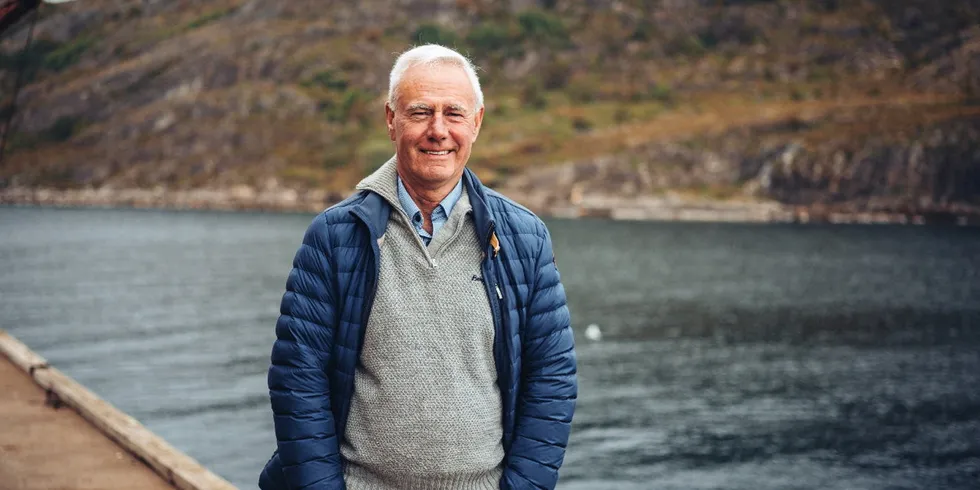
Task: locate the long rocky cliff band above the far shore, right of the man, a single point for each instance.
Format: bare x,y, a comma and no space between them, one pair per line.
823,164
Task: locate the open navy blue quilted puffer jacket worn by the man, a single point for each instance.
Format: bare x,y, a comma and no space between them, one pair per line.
321,329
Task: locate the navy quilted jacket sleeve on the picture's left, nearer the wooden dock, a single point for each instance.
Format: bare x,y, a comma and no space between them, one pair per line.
298,383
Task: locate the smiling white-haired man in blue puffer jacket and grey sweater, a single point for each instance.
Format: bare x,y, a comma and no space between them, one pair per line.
424,340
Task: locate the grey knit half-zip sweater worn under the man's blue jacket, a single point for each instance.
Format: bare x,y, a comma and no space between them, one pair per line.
426,410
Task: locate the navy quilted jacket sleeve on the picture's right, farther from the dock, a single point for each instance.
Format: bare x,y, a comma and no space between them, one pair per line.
548,385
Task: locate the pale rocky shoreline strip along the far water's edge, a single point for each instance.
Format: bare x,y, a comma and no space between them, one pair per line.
618,209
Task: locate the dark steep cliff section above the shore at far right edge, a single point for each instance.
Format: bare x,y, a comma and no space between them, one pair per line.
933,169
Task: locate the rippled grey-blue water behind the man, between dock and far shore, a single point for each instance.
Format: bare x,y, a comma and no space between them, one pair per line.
732,357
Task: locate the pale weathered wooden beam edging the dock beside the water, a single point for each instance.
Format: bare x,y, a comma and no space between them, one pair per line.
175,467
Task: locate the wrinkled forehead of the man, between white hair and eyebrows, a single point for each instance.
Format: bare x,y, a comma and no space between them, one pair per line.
436,85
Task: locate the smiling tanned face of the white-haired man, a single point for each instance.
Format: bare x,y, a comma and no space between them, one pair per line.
434,123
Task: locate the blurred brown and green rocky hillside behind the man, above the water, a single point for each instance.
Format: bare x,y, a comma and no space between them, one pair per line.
643,105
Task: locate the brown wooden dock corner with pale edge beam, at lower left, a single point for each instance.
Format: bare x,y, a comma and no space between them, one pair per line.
56,434
